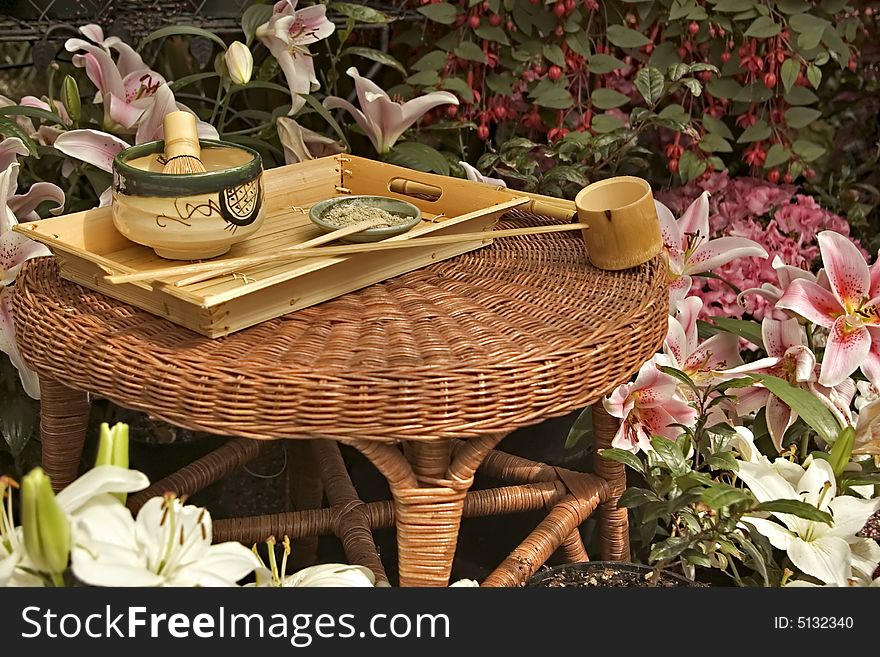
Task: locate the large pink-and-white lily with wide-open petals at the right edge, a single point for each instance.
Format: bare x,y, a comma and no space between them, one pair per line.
851,310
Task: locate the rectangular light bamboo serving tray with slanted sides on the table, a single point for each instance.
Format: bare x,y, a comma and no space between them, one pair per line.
87,245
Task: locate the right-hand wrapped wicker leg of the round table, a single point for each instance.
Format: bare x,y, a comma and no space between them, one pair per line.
613,522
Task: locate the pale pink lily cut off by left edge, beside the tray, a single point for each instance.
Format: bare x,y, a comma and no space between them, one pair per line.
15,249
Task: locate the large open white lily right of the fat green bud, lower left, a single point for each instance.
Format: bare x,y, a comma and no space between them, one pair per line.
168,545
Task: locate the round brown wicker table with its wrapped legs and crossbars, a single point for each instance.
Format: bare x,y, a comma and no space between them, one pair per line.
445,361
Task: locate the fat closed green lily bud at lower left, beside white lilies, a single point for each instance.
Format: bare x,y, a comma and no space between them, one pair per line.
45,526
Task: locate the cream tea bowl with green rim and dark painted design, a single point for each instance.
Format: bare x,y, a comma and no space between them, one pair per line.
188,216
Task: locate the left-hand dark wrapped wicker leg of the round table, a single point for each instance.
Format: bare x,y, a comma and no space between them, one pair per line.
64,418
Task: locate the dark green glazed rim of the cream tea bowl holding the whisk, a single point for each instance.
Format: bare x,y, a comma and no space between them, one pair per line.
138,182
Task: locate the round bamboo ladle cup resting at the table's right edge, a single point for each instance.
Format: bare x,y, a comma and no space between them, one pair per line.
624,230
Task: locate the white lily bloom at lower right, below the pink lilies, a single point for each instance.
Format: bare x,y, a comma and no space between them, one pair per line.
830,553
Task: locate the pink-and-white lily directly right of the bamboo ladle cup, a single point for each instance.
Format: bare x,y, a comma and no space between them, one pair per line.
689,250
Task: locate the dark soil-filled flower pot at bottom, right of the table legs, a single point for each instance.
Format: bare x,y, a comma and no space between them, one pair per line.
604,574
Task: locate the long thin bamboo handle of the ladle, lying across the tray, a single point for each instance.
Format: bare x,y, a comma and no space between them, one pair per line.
348,249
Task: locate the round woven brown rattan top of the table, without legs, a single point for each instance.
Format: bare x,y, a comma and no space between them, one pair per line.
502,337
